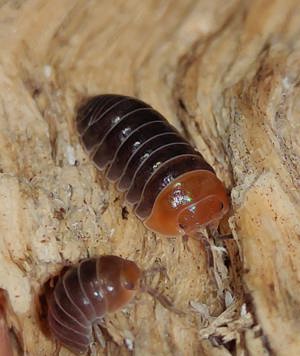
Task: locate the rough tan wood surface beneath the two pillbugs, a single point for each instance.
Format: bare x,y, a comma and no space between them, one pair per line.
227,75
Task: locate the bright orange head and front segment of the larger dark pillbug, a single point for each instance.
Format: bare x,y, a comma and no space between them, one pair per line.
195,199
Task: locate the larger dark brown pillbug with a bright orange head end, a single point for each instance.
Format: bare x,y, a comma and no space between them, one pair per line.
171,187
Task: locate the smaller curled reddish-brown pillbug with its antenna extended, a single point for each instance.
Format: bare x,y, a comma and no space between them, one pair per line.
86,292
